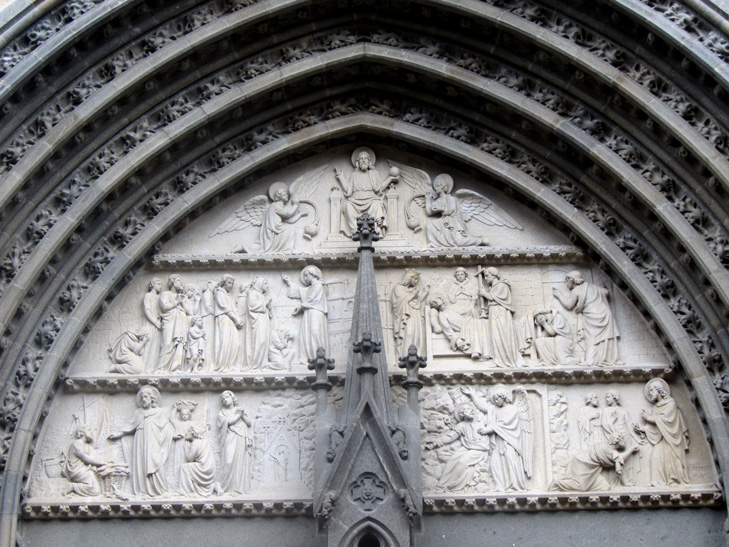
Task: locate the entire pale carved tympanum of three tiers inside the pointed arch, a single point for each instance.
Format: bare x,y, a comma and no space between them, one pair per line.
187,397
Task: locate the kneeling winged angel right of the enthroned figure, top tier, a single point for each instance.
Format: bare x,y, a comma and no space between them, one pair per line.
448,216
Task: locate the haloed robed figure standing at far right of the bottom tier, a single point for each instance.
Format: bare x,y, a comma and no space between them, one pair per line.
666,431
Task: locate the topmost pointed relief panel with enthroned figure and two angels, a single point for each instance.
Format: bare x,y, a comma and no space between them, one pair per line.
312,207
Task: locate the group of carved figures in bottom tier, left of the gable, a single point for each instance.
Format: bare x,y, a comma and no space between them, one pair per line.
152,436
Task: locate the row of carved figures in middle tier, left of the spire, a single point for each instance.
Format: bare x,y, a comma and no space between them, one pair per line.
193,329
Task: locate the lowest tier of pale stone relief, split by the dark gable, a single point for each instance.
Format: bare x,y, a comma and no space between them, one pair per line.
490,440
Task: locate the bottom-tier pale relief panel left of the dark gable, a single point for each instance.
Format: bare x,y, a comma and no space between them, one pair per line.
153,445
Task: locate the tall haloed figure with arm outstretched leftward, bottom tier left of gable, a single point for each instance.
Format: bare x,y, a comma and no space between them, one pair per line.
146,440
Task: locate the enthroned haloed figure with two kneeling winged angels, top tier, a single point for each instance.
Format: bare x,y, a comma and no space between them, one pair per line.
447,216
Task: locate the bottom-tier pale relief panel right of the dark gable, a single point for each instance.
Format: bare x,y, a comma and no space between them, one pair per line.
531,438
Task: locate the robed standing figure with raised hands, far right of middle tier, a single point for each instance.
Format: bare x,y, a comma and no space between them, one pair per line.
596,326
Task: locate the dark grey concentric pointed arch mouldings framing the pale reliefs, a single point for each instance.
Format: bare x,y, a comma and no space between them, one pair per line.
647,231
